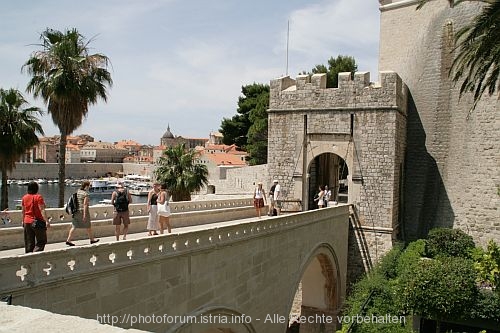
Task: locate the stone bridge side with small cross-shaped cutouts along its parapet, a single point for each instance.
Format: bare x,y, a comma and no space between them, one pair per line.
237,278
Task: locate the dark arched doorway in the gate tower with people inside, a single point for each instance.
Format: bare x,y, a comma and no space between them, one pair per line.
332,170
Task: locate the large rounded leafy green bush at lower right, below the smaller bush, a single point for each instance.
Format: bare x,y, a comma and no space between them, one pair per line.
440,289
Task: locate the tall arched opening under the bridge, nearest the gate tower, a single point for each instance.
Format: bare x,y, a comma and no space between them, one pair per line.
317,298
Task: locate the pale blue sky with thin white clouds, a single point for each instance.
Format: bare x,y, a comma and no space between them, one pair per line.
182,63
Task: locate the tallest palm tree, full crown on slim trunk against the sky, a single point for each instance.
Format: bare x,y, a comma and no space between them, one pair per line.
69,80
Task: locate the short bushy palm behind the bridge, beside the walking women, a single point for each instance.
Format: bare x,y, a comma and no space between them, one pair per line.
178,169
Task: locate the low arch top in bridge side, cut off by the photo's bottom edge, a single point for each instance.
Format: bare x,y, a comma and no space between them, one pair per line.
216,315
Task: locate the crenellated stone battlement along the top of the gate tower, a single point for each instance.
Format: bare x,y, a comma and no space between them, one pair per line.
310,92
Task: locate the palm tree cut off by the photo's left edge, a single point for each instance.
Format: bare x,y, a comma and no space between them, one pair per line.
18,128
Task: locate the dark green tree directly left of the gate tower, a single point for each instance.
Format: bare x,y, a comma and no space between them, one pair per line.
248,128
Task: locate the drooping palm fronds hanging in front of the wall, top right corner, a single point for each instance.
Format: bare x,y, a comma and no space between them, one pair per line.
478,59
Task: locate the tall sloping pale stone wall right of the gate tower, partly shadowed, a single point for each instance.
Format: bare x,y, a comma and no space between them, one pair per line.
452,173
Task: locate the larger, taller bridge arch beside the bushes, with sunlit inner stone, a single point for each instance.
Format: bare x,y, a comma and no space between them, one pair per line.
320,283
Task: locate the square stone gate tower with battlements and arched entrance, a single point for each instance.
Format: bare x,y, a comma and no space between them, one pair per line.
318,136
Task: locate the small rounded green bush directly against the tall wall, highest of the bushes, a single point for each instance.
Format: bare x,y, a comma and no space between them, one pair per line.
450,243
